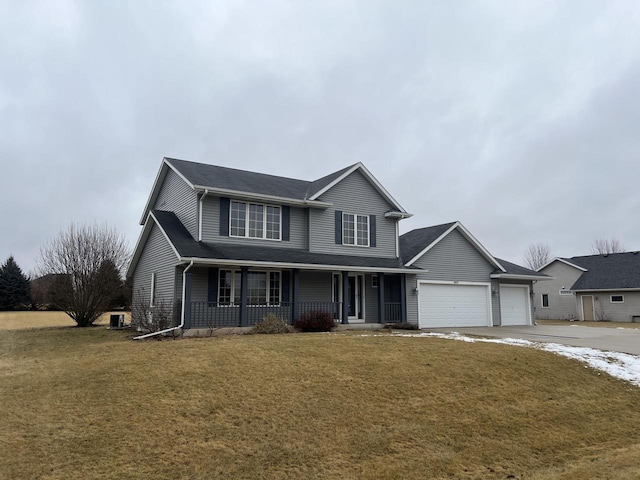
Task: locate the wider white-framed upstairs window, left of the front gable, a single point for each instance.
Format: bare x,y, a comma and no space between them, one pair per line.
254,220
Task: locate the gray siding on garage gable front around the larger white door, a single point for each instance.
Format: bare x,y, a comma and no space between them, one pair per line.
453,259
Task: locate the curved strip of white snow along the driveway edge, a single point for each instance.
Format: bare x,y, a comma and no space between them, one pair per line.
619,365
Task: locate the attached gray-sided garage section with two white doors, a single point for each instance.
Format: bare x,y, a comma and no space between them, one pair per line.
460,284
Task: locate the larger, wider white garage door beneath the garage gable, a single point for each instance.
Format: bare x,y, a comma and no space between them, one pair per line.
453,305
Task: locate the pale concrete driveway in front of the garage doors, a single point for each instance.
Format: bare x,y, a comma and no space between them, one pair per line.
625,340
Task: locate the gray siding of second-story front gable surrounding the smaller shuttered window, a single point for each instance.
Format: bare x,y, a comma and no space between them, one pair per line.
357,196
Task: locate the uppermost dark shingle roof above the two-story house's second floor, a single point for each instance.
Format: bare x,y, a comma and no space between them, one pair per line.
244,181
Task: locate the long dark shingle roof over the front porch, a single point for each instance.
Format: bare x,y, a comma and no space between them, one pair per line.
188,247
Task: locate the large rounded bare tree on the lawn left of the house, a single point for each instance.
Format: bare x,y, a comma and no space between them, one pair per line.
83,258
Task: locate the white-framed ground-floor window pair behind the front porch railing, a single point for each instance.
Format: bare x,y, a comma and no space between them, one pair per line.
263,288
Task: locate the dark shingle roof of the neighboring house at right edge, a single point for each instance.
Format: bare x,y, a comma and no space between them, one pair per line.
608,272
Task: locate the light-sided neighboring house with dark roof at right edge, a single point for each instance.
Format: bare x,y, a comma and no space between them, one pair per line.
593,287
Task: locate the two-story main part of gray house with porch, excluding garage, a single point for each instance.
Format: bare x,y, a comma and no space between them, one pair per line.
225,246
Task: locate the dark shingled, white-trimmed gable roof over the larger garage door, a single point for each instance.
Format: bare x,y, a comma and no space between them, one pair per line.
416,243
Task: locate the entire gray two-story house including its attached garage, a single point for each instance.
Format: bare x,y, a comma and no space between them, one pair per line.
224,247
